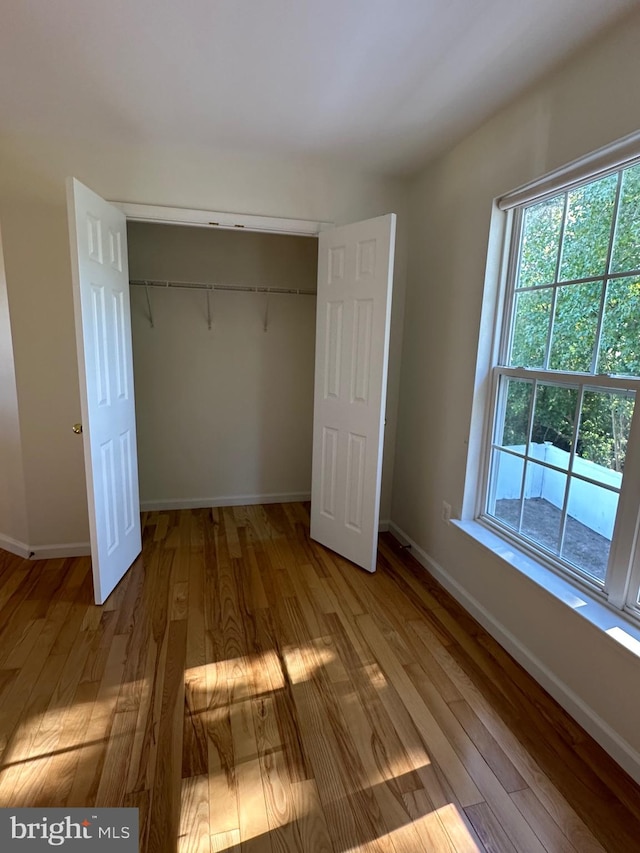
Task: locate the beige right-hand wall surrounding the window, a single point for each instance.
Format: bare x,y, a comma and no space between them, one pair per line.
591,100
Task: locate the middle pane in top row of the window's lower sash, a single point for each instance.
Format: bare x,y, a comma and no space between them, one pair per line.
553,423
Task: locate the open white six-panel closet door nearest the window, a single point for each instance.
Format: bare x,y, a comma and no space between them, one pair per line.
355,272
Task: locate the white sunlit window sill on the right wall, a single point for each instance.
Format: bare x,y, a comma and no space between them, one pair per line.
610,621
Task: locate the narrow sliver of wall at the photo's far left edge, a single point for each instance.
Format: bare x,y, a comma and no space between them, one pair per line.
13,511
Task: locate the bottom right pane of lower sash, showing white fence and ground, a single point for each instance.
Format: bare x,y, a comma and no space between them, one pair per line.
591,513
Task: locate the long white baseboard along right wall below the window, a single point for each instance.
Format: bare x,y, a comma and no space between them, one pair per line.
618,748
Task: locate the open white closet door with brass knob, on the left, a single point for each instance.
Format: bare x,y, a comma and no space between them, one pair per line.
103,331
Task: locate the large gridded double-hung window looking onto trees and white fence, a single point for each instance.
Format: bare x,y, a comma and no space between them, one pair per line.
563,467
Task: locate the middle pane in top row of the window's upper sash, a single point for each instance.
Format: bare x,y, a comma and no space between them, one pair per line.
588,229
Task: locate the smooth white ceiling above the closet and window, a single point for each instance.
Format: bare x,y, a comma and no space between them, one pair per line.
382,83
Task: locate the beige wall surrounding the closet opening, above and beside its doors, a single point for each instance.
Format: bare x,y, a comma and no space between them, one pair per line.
34,224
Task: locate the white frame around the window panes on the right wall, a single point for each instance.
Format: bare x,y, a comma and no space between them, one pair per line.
621,589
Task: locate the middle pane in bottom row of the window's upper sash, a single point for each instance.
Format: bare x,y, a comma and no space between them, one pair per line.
575,326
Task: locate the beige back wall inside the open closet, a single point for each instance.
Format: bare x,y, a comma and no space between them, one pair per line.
223,415
